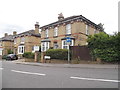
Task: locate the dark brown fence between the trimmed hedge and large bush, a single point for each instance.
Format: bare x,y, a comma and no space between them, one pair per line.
80,52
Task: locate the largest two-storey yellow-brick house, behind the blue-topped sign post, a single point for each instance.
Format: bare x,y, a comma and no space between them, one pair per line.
77,28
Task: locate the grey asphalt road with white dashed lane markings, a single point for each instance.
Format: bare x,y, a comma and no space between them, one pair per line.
27,76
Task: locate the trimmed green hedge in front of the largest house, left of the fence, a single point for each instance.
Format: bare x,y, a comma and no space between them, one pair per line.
61,54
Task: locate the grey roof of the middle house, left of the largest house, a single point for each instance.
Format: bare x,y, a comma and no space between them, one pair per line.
27,33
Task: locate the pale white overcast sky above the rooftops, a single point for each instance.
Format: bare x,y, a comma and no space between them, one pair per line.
21,15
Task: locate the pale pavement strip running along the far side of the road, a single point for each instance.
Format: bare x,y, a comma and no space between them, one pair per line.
102,66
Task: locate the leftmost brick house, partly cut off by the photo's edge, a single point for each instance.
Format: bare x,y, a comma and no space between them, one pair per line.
6,43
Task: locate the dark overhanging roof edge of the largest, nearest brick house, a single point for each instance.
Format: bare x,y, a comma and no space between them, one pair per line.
72,18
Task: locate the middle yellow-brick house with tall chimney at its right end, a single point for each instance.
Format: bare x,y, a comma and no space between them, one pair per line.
26,41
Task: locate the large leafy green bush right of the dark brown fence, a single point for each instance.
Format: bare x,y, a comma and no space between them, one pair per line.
104,46
